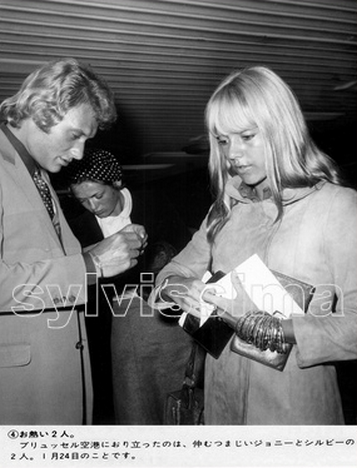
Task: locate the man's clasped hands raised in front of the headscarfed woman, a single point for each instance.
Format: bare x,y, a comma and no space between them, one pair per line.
118,252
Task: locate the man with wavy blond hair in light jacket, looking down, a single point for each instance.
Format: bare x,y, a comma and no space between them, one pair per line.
44,362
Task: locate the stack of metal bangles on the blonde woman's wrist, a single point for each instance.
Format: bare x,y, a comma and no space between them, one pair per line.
263,330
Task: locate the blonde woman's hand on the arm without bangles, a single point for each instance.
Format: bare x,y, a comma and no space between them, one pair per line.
185,292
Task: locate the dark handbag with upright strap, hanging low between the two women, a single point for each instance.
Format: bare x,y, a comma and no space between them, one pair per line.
185,406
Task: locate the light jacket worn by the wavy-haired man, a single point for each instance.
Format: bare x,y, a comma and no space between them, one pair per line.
44,361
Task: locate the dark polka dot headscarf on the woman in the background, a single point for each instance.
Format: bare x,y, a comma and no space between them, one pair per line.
96,166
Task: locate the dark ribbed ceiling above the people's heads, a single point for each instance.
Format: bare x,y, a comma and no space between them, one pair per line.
163,58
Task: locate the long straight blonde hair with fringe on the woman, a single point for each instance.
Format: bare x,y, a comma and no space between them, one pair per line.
257,97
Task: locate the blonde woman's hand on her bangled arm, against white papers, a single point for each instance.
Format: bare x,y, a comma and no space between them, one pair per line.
229,308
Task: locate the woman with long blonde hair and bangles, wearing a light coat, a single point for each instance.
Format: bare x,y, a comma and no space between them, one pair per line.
281,198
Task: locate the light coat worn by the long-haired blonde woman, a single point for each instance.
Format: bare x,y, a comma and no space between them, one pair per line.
314,242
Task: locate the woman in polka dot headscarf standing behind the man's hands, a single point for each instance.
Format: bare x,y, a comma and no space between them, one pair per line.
138,356
